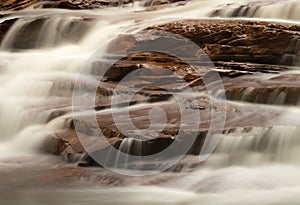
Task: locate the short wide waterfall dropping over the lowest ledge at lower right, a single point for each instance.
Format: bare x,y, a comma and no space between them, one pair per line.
254,146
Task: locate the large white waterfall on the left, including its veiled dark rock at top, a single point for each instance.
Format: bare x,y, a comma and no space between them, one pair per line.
39,78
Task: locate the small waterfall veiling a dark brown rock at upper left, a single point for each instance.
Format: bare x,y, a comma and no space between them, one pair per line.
44,32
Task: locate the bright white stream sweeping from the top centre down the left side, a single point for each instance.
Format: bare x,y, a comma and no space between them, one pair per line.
28,75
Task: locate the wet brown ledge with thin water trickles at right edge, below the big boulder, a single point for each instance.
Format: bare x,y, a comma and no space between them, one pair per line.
279,90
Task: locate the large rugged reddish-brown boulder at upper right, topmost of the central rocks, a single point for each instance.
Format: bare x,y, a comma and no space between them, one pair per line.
239,41
